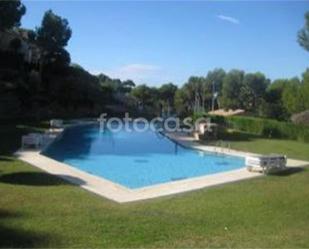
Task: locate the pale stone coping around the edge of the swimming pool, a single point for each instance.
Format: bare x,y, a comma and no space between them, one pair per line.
121,194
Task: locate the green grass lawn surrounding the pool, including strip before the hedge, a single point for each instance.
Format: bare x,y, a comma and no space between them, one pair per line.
39,210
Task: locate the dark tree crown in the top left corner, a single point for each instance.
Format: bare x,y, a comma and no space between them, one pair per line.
11,12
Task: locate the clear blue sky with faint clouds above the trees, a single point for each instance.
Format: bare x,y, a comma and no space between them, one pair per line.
156,42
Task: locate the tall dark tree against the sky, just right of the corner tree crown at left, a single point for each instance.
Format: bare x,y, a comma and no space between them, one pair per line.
53,37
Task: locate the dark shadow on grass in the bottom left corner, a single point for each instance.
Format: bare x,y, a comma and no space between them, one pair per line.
12,237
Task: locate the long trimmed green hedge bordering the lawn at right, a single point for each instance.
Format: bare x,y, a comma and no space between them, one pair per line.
269,128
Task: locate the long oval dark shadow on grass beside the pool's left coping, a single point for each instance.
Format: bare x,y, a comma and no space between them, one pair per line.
39,179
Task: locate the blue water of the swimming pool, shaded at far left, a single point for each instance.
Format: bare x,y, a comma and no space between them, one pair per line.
135,159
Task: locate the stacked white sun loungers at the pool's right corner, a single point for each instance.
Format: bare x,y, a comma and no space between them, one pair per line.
266,164
